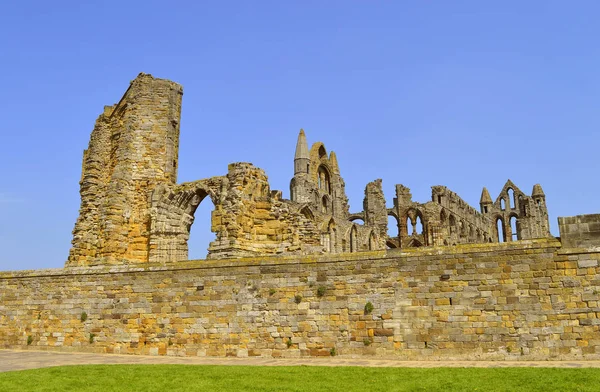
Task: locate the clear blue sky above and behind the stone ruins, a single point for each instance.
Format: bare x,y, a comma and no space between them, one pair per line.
459,93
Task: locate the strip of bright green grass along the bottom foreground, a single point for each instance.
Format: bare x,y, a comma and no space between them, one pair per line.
173,378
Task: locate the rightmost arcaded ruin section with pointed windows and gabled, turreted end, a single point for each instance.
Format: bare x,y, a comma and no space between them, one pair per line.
449,220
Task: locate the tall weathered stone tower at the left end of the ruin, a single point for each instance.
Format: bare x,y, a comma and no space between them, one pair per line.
133,148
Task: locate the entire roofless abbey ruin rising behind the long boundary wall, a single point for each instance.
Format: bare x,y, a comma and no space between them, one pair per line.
133,210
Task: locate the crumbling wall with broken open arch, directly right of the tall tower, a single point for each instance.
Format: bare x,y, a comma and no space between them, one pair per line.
248,219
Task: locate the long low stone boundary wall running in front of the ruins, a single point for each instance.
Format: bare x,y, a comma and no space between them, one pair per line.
521,300
